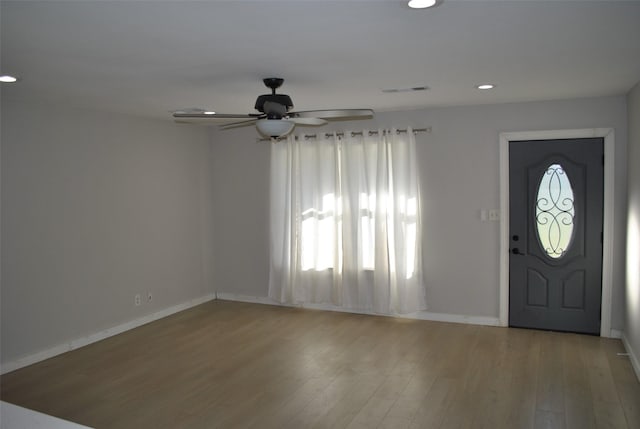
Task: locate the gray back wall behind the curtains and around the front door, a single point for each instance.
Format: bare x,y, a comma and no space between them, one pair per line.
460,176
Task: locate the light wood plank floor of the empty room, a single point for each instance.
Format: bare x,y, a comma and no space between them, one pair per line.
228,365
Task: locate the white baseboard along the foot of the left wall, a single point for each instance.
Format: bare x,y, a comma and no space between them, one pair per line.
98,336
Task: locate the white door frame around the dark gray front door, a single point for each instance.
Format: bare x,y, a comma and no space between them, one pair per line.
607,244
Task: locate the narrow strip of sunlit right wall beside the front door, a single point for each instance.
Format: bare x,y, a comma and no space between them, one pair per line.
632,321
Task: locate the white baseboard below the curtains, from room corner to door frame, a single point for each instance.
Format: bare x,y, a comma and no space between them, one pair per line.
420,315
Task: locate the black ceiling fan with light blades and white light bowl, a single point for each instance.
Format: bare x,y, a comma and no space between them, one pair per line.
275,118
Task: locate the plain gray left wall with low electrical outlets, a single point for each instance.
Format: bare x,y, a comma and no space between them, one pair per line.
97,207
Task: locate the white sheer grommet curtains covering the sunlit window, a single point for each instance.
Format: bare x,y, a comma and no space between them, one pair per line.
345,222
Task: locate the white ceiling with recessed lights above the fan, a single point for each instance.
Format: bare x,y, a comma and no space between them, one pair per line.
149,57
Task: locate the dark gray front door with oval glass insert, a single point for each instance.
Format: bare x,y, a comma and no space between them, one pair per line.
555,203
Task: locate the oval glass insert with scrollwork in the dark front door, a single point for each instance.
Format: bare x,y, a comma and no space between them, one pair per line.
555,210
